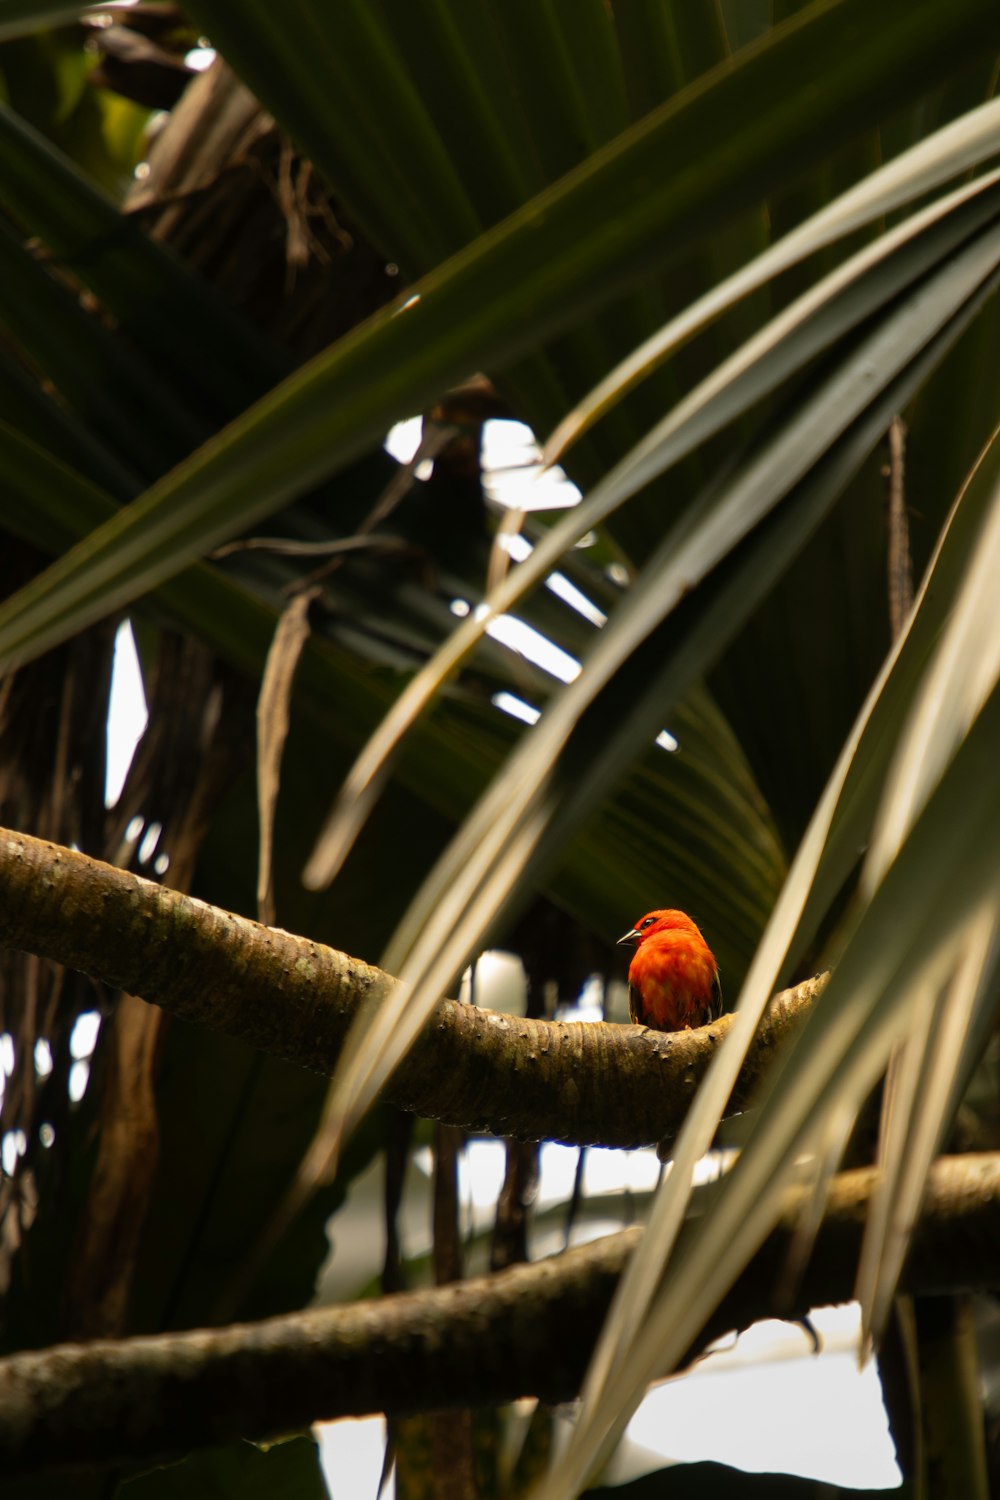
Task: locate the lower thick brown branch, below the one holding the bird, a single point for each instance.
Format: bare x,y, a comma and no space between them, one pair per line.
527,1331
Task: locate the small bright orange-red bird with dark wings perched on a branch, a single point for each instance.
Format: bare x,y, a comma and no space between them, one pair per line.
674,979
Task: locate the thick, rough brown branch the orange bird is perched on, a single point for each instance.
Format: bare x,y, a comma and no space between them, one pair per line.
579,1084
